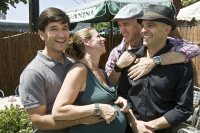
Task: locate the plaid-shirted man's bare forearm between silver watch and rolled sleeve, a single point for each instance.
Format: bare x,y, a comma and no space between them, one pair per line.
172,58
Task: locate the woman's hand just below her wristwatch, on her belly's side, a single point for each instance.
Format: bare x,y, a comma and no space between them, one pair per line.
108,112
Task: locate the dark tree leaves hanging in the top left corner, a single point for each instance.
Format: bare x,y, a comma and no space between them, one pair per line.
4,4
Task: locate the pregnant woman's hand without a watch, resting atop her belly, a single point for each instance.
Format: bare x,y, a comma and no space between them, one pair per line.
123,104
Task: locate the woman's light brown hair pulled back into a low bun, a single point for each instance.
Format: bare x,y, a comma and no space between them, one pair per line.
76,47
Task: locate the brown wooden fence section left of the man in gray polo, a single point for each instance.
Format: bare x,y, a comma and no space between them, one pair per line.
16,51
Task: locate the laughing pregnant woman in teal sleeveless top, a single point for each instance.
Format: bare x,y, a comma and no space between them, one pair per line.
86,90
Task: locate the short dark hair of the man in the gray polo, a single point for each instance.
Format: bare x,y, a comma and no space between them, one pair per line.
52,14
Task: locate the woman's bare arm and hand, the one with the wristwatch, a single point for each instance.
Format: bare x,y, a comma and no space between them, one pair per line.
74,83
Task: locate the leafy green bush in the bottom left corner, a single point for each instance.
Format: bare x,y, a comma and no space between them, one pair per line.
14,120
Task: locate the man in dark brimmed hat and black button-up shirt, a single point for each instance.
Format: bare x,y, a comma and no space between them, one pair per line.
163,98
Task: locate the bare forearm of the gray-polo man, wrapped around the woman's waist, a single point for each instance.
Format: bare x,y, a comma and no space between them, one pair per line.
43,121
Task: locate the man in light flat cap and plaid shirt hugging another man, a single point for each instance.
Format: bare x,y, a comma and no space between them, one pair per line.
132,41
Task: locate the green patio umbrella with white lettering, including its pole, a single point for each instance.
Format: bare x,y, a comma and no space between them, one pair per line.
104,11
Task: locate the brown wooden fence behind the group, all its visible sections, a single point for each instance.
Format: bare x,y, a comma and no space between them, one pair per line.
18,49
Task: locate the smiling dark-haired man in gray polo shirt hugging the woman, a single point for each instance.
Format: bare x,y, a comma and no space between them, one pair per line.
42,79
